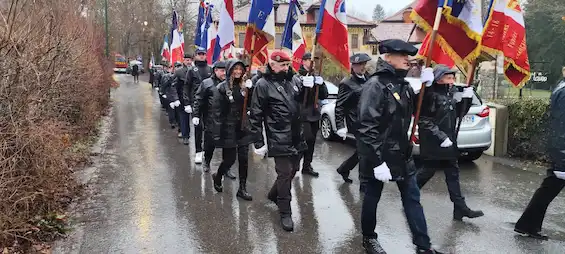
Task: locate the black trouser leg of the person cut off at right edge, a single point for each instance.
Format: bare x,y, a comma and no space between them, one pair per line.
532,218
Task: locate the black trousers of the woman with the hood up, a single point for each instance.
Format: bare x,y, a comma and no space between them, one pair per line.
228,159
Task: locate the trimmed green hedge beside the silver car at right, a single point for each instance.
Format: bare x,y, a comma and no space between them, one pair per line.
528,127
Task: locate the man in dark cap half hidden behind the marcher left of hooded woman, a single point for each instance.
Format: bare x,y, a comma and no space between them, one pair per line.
205,71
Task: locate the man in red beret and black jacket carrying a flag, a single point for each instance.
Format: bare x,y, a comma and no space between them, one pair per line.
276,105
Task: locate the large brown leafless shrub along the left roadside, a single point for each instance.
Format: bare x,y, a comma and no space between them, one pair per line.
54,87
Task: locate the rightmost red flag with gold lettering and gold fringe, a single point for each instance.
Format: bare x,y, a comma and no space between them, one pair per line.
505,33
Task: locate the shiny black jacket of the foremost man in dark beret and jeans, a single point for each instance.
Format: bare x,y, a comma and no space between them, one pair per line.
385,109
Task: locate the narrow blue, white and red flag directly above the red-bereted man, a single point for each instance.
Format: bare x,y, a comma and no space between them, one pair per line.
292,36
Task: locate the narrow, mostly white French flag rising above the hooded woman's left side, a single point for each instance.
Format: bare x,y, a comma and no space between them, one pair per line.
226,30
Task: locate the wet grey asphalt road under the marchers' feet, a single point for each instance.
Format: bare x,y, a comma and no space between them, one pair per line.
149,197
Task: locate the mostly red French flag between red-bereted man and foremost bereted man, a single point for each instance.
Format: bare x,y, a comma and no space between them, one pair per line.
331,31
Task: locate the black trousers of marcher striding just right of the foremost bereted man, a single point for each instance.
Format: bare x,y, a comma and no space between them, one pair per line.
451,170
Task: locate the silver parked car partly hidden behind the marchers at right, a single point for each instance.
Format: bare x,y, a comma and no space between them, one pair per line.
474,136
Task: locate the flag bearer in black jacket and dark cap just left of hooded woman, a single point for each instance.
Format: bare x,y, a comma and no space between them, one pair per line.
204,111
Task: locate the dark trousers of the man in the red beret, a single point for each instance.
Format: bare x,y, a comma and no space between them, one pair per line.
286,167
